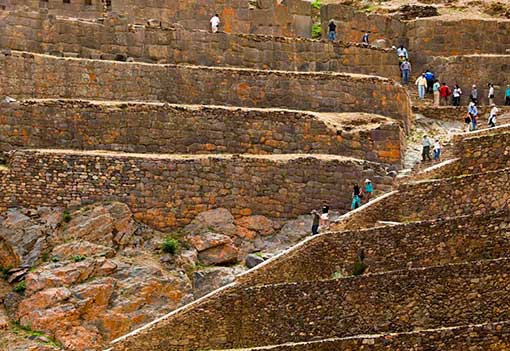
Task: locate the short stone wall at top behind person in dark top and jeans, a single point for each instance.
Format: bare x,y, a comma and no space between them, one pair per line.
352,24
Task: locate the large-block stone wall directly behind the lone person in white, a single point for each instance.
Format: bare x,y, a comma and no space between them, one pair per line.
287,18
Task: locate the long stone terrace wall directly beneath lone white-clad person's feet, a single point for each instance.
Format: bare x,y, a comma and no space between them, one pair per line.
45,34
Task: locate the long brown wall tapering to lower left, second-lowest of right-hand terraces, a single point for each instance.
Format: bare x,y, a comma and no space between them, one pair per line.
394,302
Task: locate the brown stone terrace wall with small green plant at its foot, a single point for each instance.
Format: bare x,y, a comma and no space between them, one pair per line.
413,245
